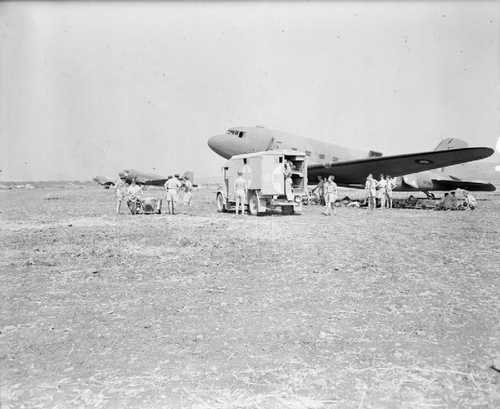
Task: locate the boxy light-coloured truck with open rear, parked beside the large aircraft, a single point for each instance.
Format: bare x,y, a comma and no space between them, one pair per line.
275,179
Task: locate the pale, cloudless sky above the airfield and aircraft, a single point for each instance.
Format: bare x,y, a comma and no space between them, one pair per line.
90,88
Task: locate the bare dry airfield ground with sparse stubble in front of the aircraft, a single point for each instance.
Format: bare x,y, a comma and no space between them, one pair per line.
394,309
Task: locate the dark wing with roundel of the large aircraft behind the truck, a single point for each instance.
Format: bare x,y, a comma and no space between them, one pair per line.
355,172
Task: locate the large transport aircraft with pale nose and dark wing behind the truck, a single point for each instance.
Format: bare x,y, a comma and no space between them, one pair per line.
350,167
